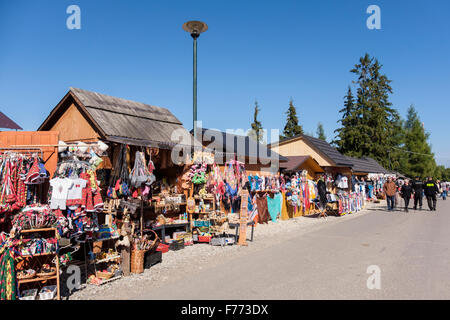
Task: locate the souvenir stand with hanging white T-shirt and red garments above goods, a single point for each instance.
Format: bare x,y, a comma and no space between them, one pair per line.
87,236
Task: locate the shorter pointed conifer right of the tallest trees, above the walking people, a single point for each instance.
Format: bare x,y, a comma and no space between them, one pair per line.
419,159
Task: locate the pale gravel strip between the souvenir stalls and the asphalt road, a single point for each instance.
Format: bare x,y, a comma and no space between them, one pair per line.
192,259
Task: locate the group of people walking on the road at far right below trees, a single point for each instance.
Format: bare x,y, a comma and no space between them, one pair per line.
416,189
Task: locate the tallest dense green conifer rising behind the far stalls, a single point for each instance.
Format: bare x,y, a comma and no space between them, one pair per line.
371,127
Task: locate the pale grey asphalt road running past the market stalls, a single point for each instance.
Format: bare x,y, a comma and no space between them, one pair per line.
410,249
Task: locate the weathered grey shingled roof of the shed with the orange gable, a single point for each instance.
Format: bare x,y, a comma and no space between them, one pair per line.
125,121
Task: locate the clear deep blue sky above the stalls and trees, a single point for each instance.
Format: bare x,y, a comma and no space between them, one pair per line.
266,50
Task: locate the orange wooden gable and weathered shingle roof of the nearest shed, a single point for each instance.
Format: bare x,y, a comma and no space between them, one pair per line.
86,116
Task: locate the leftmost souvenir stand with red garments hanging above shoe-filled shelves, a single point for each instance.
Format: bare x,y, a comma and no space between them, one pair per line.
29,247
